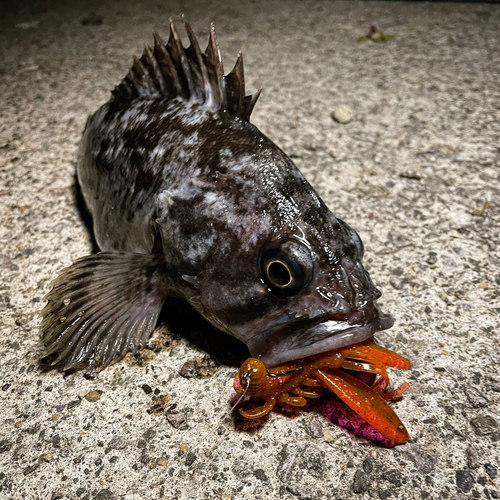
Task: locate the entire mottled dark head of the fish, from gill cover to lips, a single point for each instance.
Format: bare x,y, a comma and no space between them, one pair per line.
275,268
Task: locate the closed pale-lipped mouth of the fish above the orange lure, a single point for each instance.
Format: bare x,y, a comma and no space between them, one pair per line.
300,339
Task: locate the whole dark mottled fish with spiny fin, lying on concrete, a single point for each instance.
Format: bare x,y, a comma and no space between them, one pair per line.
189,199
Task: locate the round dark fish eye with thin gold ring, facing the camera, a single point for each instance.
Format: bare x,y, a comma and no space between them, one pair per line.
287,268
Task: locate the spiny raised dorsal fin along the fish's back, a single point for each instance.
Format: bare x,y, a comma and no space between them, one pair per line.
169,70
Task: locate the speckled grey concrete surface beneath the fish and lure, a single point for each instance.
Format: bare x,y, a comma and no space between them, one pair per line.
416,172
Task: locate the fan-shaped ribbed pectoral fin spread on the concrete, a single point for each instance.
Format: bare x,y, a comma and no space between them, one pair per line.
103,306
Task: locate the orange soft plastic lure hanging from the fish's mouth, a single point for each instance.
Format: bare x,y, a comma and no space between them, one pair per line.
305,378
